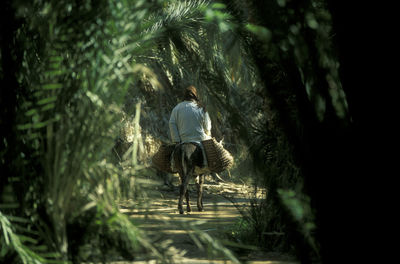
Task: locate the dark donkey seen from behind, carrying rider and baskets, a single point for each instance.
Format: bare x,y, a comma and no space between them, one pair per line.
186,157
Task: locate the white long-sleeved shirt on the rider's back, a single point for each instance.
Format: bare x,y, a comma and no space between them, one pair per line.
189,123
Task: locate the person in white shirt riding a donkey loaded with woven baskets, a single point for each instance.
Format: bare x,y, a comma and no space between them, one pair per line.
193,151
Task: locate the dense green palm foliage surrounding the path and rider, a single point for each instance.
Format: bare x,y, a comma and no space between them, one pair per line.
75,75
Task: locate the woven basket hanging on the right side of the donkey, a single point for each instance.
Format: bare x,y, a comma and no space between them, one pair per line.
218,158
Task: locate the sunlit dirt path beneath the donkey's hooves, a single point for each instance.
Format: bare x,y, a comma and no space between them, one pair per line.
195,237
